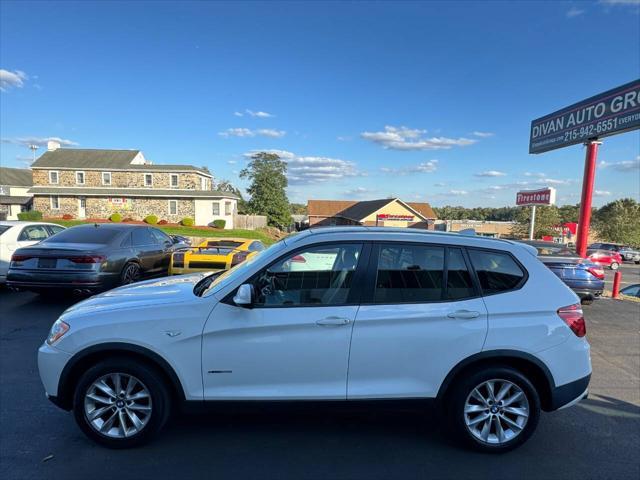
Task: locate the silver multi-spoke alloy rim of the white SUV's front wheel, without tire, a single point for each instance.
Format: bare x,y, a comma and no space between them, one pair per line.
118,405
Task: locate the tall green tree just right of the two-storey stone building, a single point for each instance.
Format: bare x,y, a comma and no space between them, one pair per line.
267,174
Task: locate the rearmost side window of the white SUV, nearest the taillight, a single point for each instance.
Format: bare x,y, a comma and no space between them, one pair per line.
496,271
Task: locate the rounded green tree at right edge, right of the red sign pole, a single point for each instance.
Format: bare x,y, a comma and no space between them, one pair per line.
619,222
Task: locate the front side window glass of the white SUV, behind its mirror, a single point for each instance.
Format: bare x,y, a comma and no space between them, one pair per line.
316,276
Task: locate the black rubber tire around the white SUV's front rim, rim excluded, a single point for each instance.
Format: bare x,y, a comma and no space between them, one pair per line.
152,380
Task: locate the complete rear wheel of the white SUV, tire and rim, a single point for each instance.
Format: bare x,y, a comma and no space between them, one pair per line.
494,410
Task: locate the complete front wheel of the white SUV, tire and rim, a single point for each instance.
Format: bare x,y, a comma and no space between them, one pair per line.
121,404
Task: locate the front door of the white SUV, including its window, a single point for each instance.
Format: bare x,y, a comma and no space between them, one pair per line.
293,342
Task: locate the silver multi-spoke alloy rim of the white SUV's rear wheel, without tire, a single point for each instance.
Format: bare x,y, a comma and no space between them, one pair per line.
496,411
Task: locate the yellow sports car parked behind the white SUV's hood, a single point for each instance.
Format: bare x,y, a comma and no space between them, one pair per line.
213,255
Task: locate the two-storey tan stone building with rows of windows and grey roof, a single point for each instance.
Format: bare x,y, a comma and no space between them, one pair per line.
91,183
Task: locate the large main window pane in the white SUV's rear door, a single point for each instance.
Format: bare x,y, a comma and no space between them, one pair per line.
409,273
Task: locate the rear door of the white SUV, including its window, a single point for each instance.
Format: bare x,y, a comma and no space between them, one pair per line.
420,315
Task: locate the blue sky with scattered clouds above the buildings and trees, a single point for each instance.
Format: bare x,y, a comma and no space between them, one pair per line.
427,101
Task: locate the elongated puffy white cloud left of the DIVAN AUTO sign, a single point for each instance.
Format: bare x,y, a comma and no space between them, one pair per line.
403,138
